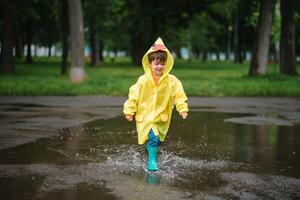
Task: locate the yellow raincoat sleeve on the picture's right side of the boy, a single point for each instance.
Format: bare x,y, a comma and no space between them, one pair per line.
180,97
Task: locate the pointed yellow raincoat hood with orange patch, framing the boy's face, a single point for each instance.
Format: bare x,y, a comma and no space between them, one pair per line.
158,45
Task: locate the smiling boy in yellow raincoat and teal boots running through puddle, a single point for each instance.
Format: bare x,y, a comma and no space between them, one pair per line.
151,100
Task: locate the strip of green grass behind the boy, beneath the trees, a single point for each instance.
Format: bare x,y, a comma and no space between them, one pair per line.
214,78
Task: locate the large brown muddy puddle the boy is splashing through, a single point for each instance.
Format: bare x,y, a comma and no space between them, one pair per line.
203,157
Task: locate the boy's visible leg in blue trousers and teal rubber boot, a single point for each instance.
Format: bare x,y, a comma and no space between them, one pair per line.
152,149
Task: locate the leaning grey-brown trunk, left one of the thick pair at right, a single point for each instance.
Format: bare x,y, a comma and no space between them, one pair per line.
260,57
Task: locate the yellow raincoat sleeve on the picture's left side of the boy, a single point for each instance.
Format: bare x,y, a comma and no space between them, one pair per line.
130,105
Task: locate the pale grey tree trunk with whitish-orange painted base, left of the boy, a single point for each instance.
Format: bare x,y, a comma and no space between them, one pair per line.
77,41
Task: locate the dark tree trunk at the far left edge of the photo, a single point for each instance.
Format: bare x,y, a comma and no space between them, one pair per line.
7,62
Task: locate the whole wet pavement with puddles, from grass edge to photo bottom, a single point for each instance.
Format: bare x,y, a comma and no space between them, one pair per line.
82,148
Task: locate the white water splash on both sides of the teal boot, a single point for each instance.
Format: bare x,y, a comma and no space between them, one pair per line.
171,166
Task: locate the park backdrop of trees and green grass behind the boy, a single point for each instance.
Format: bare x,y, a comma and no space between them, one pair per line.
221,48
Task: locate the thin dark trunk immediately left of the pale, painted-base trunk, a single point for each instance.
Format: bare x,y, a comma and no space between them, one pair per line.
64,37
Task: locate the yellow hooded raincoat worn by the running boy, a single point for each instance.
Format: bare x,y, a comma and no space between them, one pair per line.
152,104
